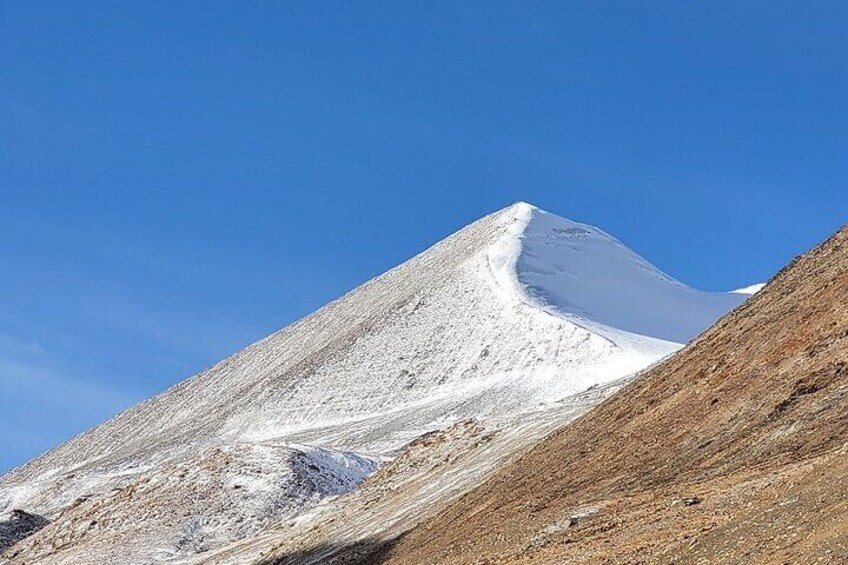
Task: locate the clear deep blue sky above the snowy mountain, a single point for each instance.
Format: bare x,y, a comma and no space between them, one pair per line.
178,179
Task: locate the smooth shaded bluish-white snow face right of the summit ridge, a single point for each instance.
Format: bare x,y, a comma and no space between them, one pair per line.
585,275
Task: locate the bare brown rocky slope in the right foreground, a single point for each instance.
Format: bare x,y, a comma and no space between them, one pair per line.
735,450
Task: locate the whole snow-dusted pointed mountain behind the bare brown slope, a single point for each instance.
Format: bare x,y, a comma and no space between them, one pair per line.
433,373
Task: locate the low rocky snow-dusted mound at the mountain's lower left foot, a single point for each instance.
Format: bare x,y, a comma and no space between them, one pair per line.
222,495
